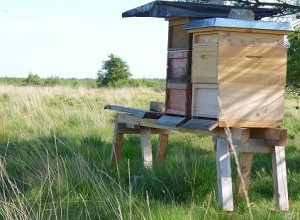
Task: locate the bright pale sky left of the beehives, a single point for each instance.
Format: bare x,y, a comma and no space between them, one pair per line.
71,38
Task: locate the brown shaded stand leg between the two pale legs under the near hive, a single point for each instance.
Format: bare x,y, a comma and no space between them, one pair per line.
245,162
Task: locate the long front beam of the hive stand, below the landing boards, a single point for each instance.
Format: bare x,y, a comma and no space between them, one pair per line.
237,133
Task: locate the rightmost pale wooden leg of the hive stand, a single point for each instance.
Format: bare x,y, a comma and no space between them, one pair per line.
280,178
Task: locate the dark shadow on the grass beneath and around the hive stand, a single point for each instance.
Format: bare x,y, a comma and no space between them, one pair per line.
188,175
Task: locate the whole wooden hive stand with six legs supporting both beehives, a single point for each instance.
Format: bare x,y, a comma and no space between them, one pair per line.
244,141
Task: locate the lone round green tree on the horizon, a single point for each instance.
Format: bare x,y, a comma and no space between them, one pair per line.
113,69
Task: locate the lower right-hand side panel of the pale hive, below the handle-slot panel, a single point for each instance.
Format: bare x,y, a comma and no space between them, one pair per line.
250,105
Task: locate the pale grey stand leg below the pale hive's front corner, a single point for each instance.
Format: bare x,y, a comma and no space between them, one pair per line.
224,174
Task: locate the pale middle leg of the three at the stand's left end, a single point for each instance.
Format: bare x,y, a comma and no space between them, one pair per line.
146,147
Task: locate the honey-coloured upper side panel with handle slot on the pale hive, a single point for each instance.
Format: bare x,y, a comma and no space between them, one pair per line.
258,65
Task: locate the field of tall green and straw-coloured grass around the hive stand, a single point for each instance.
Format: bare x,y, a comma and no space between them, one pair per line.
55,145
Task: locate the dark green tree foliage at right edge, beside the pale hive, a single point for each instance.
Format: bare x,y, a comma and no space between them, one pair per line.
293,70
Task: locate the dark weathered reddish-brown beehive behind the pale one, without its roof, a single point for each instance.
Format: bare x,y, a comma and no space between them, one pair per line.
179,87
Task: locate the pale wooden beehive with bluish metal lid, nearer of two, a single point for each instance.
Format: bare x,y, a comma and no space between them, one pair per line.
238,71
